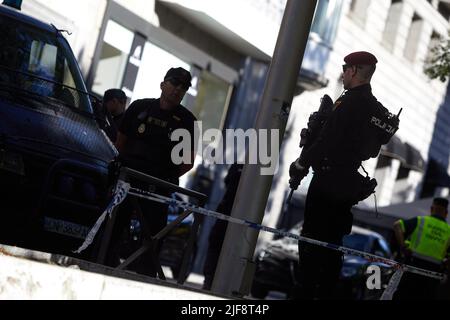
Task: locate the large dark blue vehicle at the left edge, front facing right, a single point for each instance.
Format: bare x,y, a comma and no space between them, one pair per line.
54,158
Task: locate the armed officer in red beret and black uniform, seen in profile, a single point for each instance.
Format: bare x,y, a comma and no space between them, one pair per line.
335,156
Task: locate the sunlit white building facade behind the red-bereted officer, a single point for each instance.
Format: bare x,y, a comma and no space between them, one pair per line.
400,34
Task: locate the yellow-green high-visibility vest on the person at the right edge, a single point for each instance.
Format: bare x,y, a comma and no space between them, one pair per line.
430,240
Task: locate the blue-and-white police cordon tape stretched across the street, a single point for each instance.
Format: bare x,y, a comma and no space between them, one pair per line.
123,189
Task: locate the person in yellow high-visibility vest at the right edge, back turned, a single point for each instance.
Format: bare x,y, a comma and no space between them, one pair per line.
424,242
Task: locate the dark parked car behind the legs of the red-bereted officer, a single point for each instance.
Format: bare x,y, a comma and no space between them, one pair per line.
277,265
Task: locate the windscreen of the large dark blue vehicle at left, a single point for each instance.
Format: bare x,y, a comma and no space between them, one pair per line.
41,63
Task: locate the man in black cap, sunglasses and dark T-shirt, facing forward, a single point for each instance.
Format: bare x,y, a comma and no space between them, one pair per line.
144,142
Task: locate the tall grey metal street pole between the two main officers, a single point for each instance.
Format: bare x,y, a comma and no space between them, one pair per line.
235,268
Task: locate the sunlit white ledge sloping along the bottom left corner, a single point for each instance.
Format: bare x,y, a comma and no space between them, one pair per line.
32,275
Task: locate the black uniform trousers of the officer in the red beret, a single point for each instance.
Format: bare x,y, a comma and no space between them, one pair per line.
327,218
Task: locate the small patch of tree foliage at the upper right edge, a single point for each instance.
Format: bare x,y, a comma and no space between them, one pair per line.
438,66
